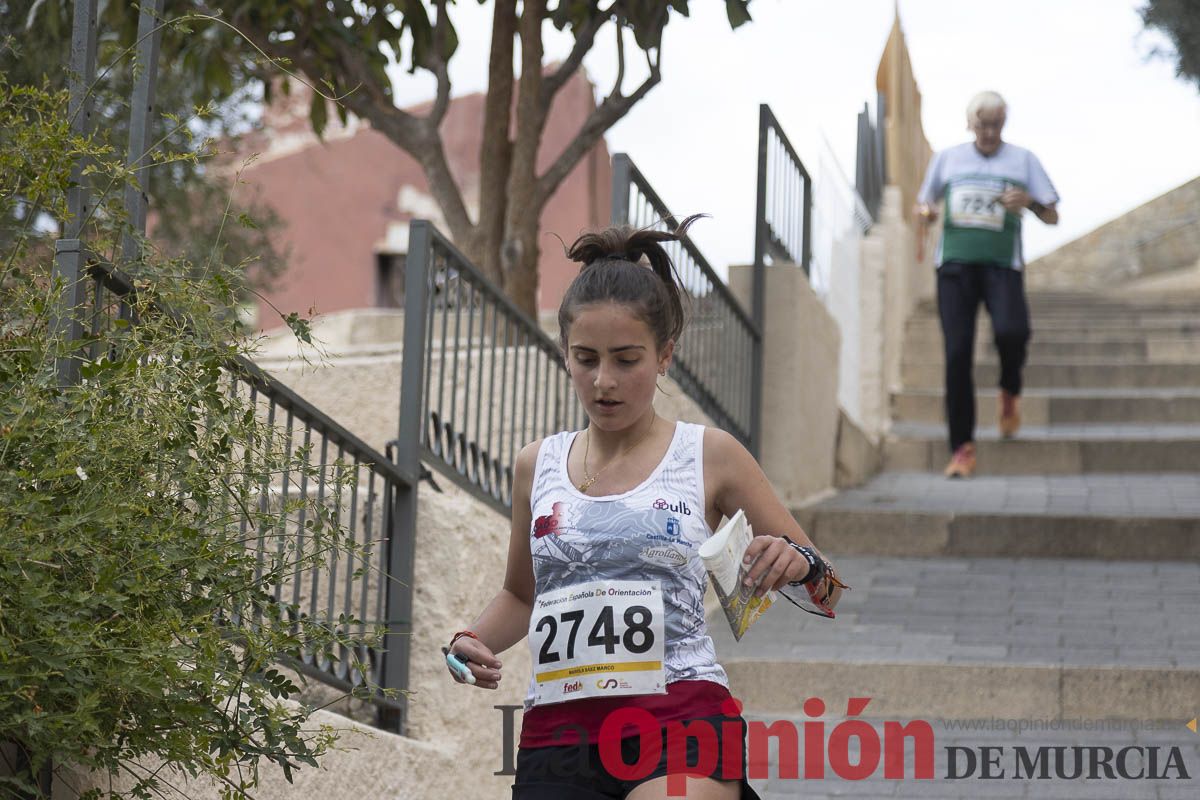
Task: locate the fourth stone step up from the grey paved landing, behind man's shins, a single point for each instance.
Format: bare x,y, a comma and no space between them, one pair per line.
1066,375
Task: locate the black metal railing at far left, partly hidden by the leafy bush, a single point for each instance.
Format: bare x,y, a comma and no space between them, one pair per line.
369,576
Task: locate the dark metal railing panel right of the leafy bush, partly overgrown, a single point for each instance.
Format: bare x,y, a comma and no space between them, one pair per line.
369,576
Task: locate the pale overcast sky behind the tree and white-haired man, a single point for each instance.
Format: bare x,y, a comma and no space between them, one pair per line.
1113,127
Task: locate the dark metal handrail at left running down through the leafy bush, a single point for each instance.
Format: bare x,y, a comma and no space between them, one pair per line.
364,587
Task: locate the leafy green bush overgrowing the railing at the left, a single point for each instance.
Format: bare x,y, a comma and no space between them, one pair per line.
135,627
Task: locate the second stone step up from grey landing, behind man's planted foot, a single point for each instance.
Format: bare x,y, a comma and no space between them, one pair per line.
1053,450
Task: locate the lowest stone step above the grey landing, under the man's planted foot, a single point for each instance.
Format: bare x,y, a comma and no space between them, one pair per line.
1141,516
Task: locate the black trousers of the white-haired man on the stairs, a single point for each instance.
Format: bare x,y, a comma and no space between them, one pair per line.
961,287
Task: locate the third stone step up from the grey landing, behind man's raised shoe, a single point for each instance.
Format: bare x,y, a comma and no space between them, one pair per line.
1060,406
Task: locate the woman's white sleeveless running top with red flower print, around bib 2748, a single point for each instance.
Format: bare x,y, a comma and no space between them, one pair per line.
650,533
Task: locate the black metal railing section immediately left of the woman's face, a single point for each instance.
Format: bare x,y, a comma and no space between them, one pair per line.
481,378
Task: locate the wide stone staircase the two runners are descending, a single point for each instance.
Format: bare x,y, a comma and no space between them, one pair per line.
1059,587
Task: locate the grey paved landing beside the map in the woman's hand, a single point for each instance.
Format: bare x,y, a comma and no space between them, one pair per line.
992,611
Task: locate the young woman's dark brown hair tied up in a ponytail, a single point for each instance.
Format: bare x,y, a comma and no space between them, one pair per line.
613,273
